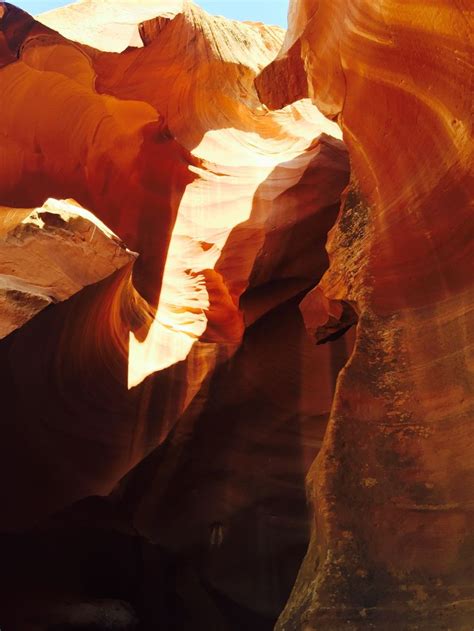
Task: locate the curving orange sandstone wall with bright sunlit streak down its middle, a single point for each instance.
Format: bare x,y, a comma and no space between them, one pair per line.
227,204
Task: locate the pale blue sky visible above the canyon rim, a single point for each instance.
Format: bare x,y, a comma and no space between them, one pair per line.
269,11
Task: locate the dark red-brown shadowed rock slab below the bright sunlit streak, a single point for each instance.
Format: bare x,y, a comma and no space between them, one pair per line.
238,468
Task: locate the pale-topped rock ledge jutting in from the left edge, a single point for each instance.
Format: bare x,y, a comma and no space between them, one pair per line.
50,253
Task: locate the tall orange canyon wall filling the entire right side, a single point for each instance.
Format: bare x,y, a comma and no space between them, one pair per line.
392,487
